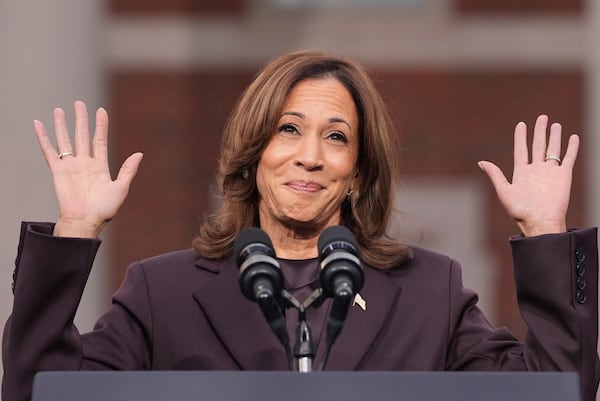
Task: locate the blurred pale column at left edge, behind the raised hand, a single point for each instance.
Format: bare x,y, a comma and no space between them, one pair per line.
50,55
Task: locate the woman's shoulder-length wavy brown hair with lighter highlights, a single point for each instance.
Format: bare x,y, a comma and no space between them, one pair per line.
251,126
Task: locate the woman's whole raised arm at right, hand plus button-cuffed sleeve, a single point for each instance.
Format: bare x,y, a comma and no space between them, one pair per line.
561,317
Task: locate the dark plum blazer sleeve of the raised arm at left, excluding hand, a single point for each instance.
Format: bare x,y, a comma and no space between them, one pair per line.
50,275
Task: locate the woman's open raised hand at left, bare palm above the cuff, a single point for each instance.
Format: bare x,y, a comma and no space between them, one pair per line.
86,194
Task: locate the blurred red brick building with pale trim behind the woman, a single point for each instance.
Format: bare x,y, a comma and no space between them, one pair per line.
458,75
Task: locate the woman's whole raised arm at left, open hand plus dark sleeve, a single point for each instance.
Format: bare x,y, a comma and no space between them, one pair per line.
52,271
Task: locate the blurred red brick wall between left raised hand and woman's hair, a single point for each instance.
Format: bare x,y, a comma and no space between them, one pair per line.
175,120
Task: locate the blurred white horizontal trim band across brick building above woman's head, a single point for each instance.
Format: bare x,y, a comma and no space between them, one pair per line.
401,41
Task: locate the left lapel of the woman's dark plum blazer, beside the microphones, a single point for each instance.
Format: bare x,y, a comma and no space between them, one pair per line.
238,322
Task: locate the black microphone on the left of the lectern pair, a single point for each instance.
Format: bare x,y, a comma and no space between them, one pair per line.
261,280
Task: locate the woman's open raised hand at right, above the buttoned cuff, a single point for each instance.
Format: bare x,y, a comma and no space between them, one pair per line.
538,196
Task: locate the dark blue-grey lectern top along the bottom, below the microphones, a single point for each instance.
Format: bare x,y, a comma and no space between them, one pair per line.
314,386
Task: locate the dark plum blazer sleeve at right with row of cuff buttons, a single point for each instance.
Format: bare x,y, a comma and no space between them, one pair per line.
556,277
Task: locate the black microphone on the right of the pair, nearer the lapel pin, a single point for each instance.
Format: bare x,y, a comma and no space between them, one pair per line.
341,275
